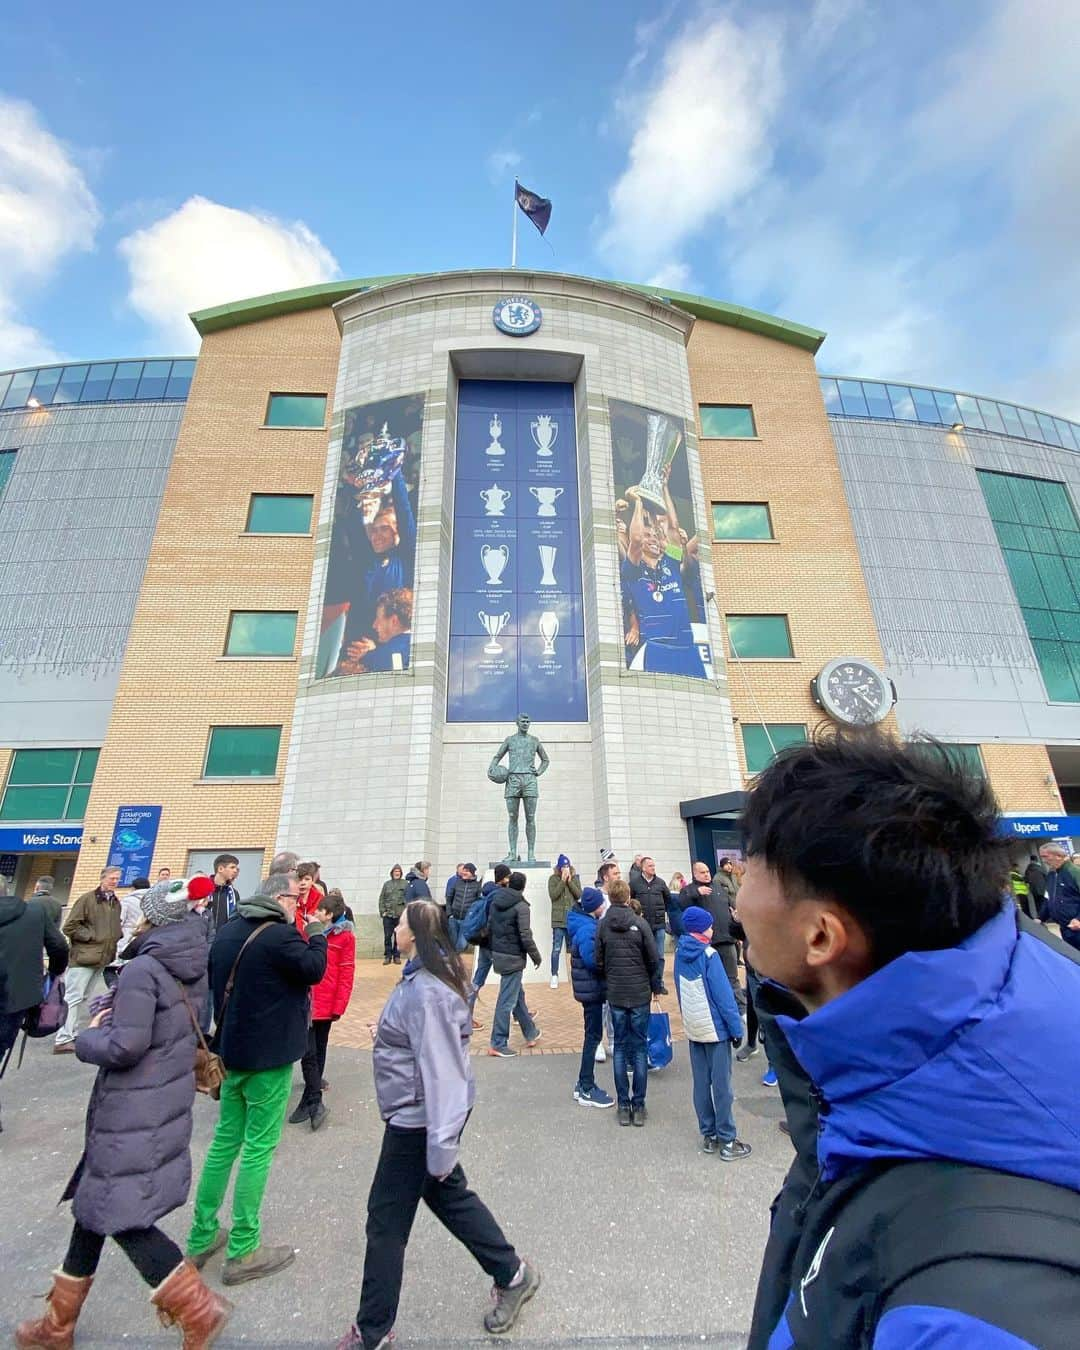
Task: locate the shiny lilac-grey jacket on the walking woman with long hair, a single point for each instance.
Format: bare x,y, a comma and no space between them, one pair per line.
423,1074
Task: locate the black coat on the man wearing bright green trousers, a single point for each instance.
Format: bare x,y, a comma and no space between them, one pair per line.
267,1021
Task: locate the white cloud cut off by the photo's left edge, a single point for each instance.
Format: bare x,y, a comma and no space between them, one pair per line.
47,213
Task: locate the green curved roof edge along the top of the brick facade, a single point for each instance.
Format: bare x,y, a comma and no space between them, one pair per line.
329,294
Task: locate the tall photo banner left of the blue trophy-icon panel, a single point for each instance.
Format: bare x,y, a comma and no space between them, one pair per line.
368,605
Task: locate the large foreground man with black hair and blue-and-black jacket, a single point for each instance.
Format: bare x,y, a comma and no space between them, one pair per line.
947,1209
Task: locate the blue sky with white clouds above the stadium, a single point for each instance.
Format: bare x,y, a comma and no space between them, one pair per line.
905,178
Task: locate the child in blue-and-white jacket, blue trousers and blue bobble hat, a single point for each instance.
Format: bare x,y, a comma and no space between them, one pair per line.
713,1027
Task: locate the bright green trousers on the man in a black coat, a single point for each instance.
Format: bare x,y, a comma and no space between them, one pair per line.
253,1114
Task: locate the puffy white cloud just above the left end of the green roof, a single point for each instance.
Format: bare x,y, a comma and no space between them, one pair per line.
206,254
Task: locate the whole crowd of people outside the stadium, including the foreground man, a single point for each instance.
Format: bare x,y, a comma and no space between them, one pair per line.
904,990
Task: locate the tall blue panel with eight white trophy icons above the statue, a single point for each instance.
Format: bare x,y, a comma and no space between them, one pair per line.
516,615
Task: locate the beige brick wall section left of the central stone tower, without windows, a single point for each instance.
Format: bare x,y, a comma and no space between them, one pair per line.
175,686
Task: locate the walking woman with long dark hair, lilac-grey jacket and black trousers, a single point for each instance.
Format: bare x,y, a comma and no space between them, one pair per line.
426,1091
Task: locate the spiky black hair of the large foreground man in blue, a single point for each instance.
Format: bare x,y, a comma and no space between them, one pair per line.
902,836
